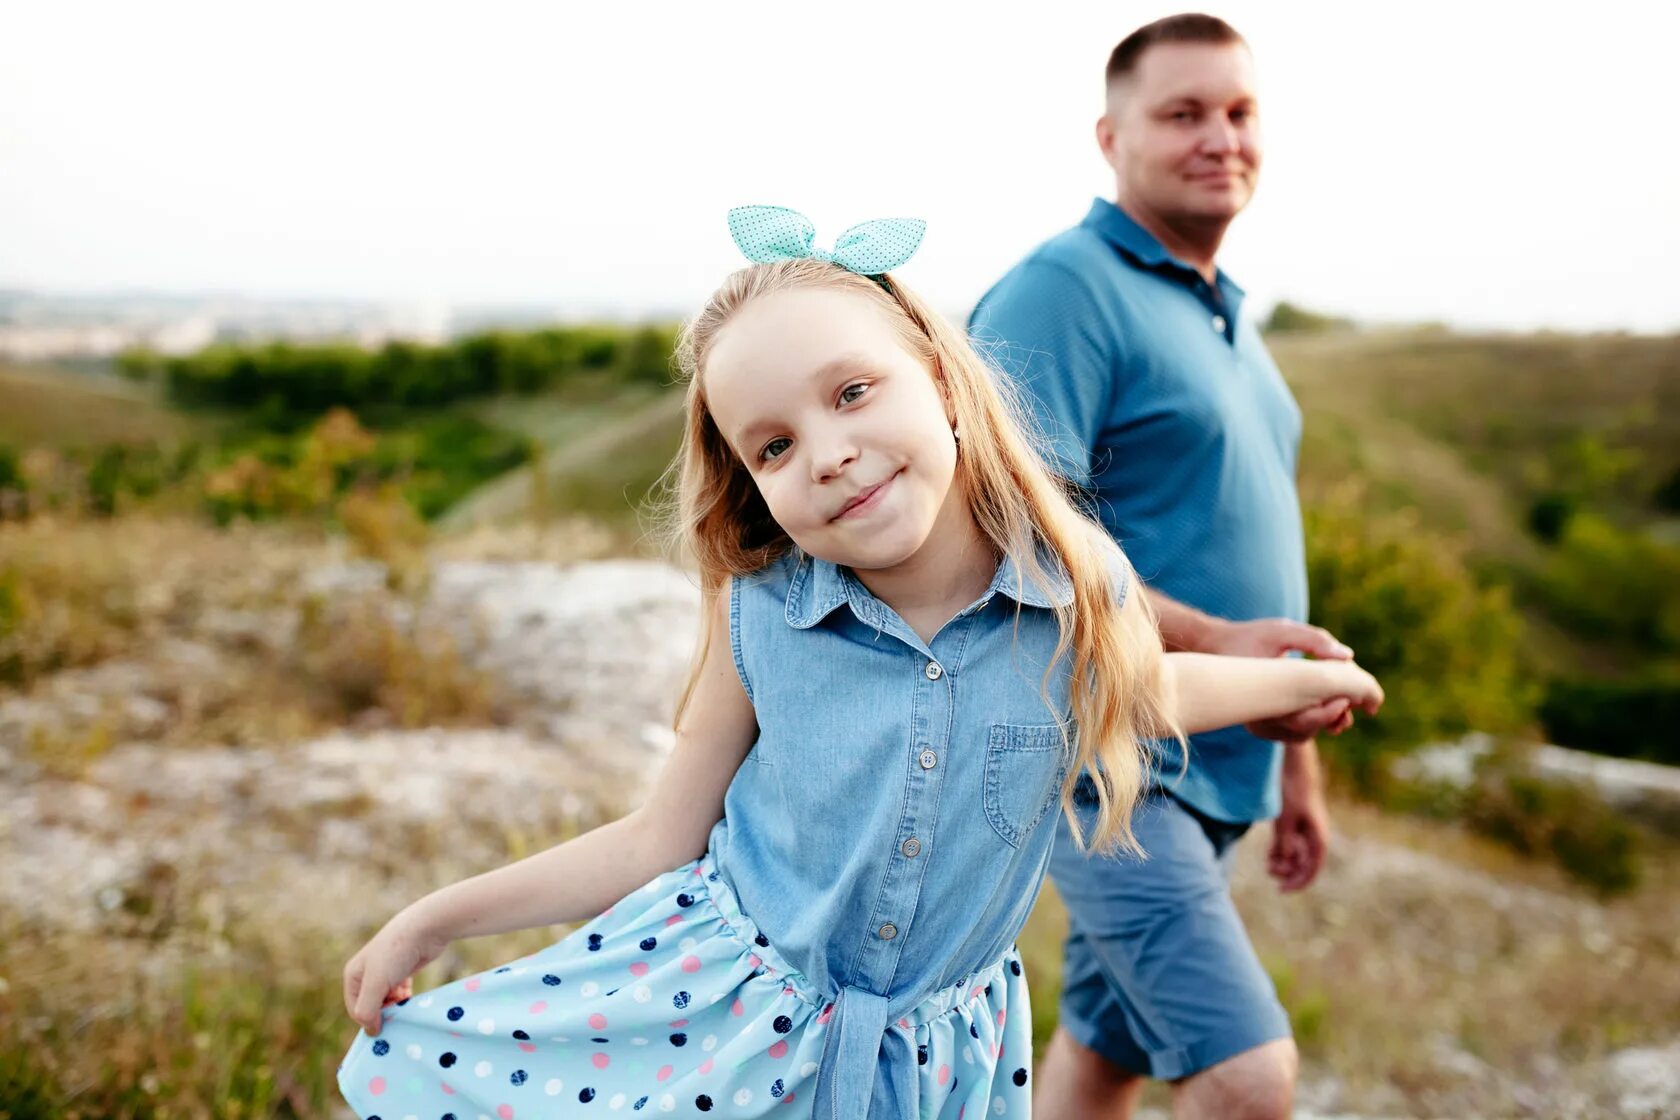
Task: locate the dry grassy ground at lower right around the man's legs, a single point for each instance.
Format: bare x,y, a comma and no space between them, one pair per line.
1436,973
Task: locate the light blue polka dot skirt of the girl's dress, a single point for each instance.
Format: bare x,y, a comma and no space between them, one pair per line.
671,1002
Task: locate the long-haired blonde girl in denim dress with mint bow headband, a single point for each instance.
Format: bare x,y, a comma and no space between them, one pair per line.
915,646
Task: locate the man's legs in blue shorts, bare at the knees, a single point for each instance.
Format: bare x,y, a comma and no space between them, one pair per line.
1160,975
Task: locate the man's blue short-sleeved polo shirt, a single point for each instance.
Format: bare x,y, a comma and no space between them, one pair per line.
1158,397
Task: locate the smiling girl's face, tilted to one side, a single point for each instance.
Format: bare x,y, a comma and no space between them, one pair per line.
844,432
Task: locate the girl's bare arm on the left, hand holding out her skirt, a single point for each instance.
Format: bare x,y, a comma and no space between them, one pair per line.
582,877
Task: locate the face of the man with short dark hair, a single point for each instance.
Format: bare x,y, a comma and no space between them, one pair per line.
1184,132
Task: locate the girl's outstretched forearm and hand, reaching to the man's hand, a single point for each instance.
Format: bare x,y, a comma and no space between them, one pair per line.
1205,691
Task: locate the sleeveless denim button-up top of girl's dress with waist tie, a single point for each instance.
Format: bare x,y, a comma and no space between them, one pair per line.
893,824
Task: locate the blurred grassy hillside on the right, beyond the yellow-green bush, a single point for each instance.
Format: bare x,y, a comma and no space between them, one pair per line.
1478,432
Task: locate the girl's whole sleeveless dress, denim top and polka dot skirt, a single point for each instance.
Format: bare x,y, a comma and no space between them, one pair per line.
846,948
